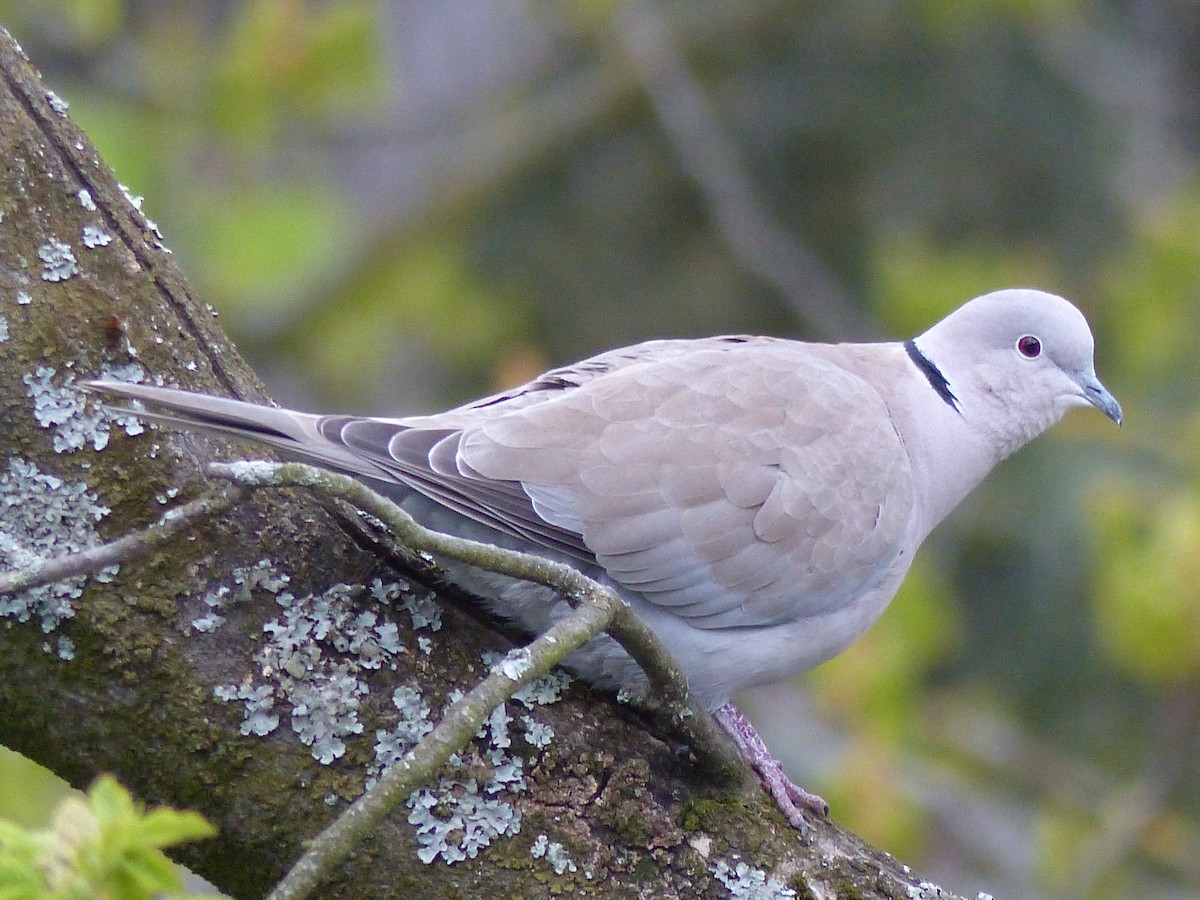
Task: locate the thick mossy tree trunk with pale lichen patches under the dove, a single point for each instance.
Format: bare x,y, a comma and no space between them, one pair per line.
127,680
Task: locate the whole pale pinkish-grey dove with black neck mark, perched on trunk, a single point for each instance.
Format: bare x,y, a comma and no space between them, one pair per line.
757,501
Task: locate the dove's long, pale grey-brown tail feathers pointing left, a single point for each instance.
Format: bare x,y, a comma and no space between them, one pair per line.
298,435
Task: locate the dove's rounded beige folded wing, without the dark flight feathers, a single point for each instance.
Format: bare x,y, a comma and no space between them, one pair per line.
739,484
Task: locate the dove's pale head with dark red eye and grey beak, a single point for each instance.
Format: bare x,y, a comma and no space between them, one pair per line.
1022,358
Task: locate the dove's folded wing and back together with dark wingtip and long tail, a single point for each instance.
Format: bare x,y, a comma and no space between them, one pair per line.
737,482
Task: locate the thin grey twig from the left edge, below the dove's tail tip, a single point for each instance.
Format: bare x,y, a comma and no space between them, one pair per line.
127,548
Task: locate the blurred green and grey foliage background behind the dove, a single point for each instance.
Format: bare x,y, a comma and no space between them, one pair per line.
401,206
